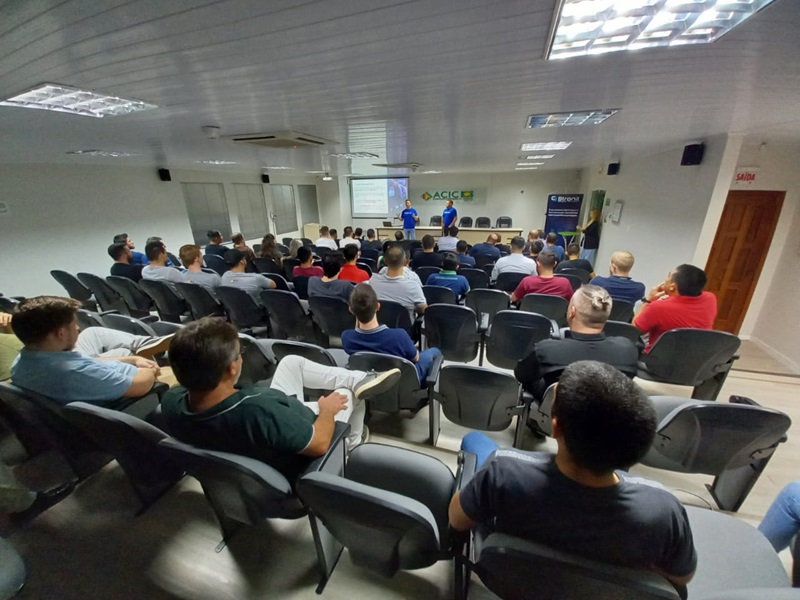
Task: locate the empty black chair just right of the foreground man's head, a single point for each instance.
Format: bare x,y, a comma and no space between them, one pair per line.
732,441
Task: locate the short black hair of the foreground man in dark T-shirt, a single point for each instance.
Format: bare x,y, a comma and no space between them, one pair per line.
607,420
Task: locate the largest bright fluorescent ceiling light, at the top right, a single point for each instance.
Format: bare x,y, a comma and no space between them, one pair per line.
585,27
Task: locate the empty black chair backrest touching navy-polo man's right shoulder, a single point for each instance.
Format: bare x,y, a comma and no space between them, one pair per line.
454,330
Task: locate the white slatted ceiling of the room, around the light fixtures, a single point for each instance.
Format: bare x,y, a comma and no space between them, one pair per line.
446,83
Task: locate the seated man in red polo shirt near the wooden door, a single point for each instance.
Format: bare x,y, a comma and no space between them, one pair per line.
679,302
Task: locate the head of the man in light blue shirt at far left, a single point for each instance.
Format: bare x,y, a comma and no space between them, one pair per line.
48,320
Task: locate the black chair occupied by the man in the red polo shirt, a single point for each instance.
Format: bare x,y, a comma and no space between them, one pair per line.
697,357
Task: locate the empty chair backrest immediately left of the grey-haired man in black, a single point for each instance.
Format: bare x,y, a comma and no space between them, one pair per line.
478,398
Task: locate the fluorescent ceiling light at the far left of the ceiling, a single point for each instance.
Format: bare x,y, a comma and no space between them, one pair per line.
62,98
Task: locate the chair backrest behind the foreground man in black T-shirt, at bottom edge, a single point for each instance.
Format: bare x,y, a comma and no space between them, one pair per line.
509,566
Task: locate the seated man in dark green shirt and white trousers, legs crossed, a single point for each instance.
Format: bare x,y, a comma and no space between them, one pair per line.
271,423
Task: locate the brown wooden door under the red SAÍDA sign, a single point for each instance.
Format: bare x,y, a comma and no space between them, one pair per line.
740,247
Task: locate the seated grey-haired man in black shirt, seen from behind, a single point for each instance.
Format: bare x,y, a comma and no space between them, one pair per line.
587,314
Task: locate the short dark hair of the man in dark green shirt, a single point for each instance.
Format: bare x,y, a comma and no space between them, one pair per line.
201,352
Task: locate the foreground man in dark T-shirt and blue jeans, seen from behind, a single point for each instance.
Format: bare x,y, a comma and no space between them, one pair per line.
581,500
